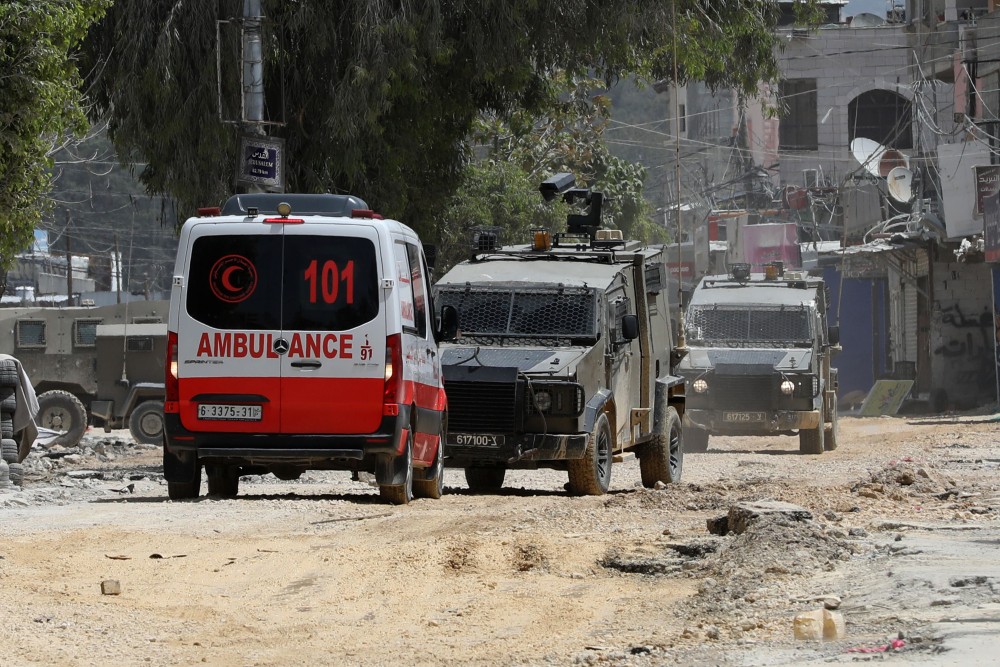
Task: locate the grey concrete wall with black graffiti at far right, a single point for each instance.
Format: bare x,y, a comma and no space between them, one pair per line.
962,336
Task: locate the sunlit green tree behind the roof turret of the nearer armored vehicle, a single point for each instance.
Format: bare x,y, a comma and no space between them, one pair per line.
511,156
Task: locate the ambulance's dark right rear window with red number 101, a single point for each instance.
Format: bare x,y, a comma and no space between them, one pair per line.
331,283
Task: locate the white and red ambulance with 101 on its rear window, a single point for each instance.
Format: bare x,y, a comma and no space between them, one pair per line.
302,336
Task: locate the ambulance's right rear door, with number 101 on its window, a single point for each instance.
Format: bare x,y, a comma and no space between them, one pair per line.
334,327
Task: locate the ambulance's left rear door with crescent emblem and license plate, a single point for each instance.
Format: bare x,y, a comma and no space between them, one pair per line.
228,327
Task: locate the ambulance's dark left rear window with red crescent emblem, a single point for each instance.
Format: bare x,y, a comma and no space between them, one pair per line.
234,282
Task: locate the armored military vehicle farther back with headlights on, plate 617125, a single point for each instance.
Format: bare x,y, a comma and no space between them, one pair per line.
759,358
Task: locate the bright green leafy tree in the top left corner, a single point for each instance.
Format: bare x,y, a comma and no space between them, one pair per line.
40,104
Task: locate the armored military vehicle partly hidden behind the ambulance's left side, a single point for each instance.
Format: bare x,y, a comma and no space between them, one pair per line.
65,353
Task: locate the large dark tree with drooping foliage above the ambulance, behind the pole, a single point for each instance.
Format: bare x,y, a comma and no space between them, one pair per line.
378,96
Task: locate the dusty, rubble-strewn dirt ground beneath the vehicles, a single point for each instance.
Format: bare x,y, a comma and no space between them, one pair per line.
319,571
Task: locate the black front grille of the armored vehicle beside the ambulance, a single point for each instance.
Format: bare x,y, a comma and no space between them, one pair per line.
481,406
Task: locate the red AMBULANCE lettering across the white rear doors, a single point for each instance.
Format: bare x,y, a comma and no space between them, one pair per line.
240,345
